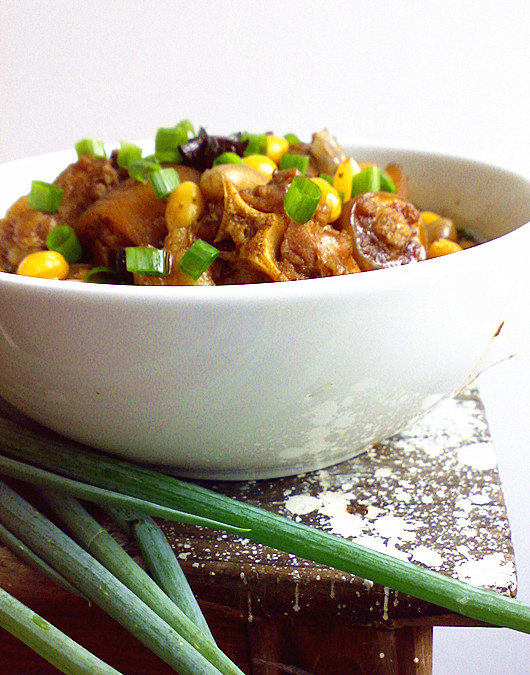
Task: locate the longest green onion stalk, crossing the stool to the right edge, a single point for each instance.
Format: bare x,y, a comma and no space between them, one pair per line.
266,527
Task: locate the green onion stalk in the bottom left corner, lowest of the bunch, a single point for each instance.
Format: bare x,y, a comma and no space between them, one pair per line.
45,639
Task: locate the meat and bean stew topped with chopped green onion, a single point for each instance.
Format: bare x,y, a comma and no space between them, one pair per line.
207,210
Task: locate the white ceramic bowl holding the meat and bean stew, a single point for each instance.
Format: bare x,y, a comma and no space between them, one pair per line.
266,380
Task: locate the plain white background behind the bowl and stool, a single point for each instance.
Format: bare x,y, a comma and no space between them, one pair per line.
451,76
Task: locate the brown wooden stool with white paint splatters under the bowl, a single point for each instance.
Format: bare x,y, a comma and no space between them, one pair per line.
430,495
